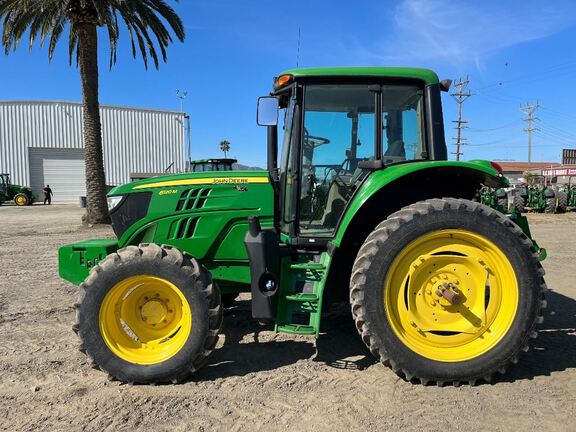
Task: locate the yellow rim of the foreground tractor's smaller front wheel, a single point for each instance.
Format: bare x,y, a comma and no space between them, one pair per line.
145,320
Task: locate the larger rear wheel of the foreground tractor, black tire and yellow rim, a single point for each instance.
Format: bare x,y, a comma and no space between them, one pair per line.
404,266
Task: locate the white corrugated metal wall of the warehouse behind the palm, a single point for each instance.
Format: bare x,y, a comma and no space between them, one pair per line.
134,140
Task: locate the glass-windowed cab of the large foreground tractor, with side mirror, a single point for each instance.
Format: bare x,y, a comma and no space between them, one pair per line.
337,131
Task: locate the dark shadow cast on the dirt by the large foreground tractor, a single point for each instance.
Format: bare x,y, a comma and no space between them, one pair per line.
340,346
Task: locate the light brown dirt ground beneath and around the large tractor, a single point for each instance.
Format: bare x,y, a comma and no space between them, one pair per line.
257,380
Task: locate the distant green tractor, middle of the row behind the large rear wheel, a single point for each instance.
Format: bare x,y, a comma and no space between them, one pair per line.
535,196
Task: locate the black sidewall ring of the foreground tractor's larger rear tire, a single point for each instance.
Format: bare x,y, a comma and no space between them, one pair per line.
516,337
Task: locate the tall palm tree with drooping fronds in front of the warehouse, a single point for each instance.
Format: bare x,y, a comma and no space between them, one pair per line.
48,19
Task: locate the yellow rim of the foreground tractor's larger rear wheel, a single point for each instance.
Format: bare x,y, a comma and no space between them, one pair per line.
451,295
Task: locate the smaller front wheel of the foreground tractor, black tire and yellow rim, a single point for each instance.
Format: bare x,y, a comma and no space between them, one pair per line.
148,314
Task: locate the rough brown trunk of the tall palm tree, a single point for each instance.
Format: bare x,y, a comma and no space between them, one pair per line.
96,205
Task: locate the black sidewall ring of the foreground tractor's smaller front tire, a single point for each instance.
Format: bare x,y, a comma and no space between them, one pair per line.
131,372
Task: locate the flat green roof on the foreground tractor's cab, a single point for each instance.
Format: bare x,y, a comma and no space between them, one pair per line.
426,75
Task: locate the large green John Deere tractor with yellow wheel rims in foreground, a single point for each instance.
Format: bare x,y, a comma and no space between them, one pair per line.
442,289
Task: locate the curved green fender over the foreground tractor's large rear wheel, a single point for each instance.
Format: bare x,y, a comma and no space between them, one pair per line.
465,176
